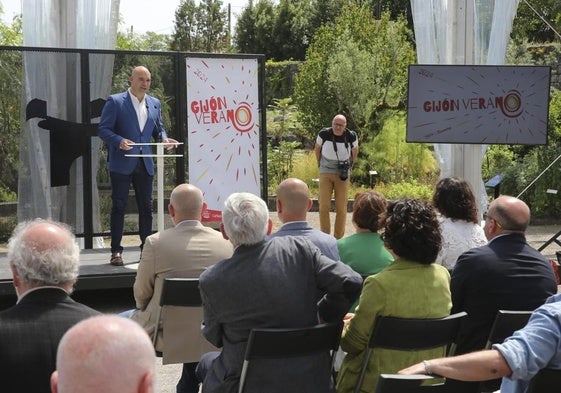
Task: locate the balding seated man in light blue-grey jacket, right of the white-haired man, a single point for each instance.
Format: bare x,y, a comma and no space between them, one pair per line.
293,203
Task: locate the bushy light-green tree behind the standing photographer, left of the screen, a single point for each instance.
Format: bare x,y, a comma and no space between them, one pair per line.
356,66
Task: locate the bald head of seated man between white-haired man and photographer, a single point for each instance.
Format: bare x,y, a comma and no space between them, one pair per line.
293,200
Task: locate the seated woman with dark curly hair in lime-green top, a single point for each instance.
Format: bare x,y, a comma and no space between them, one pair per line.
413,286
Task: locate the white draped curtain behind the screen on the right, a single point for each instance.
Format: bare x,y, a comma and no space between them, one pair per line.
462,32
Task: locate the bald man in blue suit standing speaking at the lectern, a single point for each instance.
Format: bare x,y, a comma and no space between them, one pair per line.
128,118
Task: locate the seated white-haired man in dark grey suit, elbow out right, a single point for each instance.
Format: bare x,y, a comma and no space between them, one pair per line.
268,283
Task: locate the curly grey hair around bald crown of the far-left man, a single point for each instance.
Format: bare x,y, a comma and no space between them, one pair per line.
55,265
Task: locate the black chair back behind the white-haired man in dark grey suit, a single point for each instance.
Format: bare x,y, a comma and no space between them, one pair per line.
291,342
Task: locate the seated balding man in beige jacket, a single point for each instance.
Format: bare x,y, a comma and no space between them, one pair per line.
185,250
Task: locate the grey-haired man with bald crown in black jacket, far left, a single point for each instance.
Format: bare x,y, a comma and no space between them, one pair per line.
44,259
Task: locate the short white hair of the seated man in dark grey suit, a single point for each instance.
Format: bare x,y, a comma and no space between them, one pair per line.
245,218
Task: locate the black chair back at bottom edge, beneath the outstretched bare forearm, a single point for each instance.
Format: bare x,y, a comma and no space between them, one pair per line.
396,383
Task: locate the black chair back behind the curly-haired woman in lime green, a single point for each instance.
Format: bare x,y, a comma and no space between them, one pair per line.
411,334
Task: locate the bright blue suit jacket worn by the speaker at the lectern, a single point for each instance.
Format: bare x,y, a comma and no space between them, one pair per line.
119,121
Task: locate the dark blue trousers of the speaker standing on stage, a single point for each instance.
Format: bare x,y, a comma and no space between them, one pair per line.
142,185
